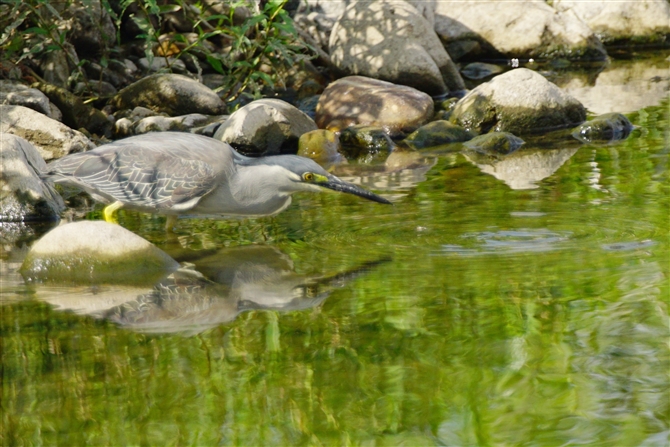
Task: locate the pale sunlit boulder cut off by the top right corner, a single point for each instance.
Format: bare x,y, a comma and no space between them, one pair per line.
641,21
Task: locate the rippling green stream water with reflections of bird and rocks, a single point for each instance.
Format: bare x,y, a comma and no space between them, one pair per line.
518,302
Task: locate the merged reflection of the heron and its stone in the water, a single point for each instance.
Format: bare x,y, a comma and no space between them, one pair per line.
207,291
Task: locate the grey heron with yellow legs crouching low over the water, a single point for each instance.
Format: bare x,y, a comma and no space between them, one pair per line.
174,173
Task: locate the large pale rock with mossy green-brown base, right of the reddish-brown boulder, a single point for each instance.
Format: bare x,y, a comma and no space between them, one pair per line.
519,101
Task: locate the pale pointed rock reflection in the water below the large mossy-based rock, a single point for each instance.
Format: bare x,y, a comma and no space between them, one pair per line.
524,168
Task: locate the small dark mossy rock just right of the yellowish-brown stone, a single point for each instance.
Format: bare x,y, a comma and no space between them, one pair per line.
366,144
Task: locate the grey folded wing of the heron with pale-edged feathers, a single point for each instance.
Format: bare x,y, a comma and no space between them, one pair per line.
158,179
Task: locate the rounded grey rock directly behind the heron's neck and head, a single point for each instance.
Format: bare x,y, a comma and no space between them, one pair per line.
265,127
